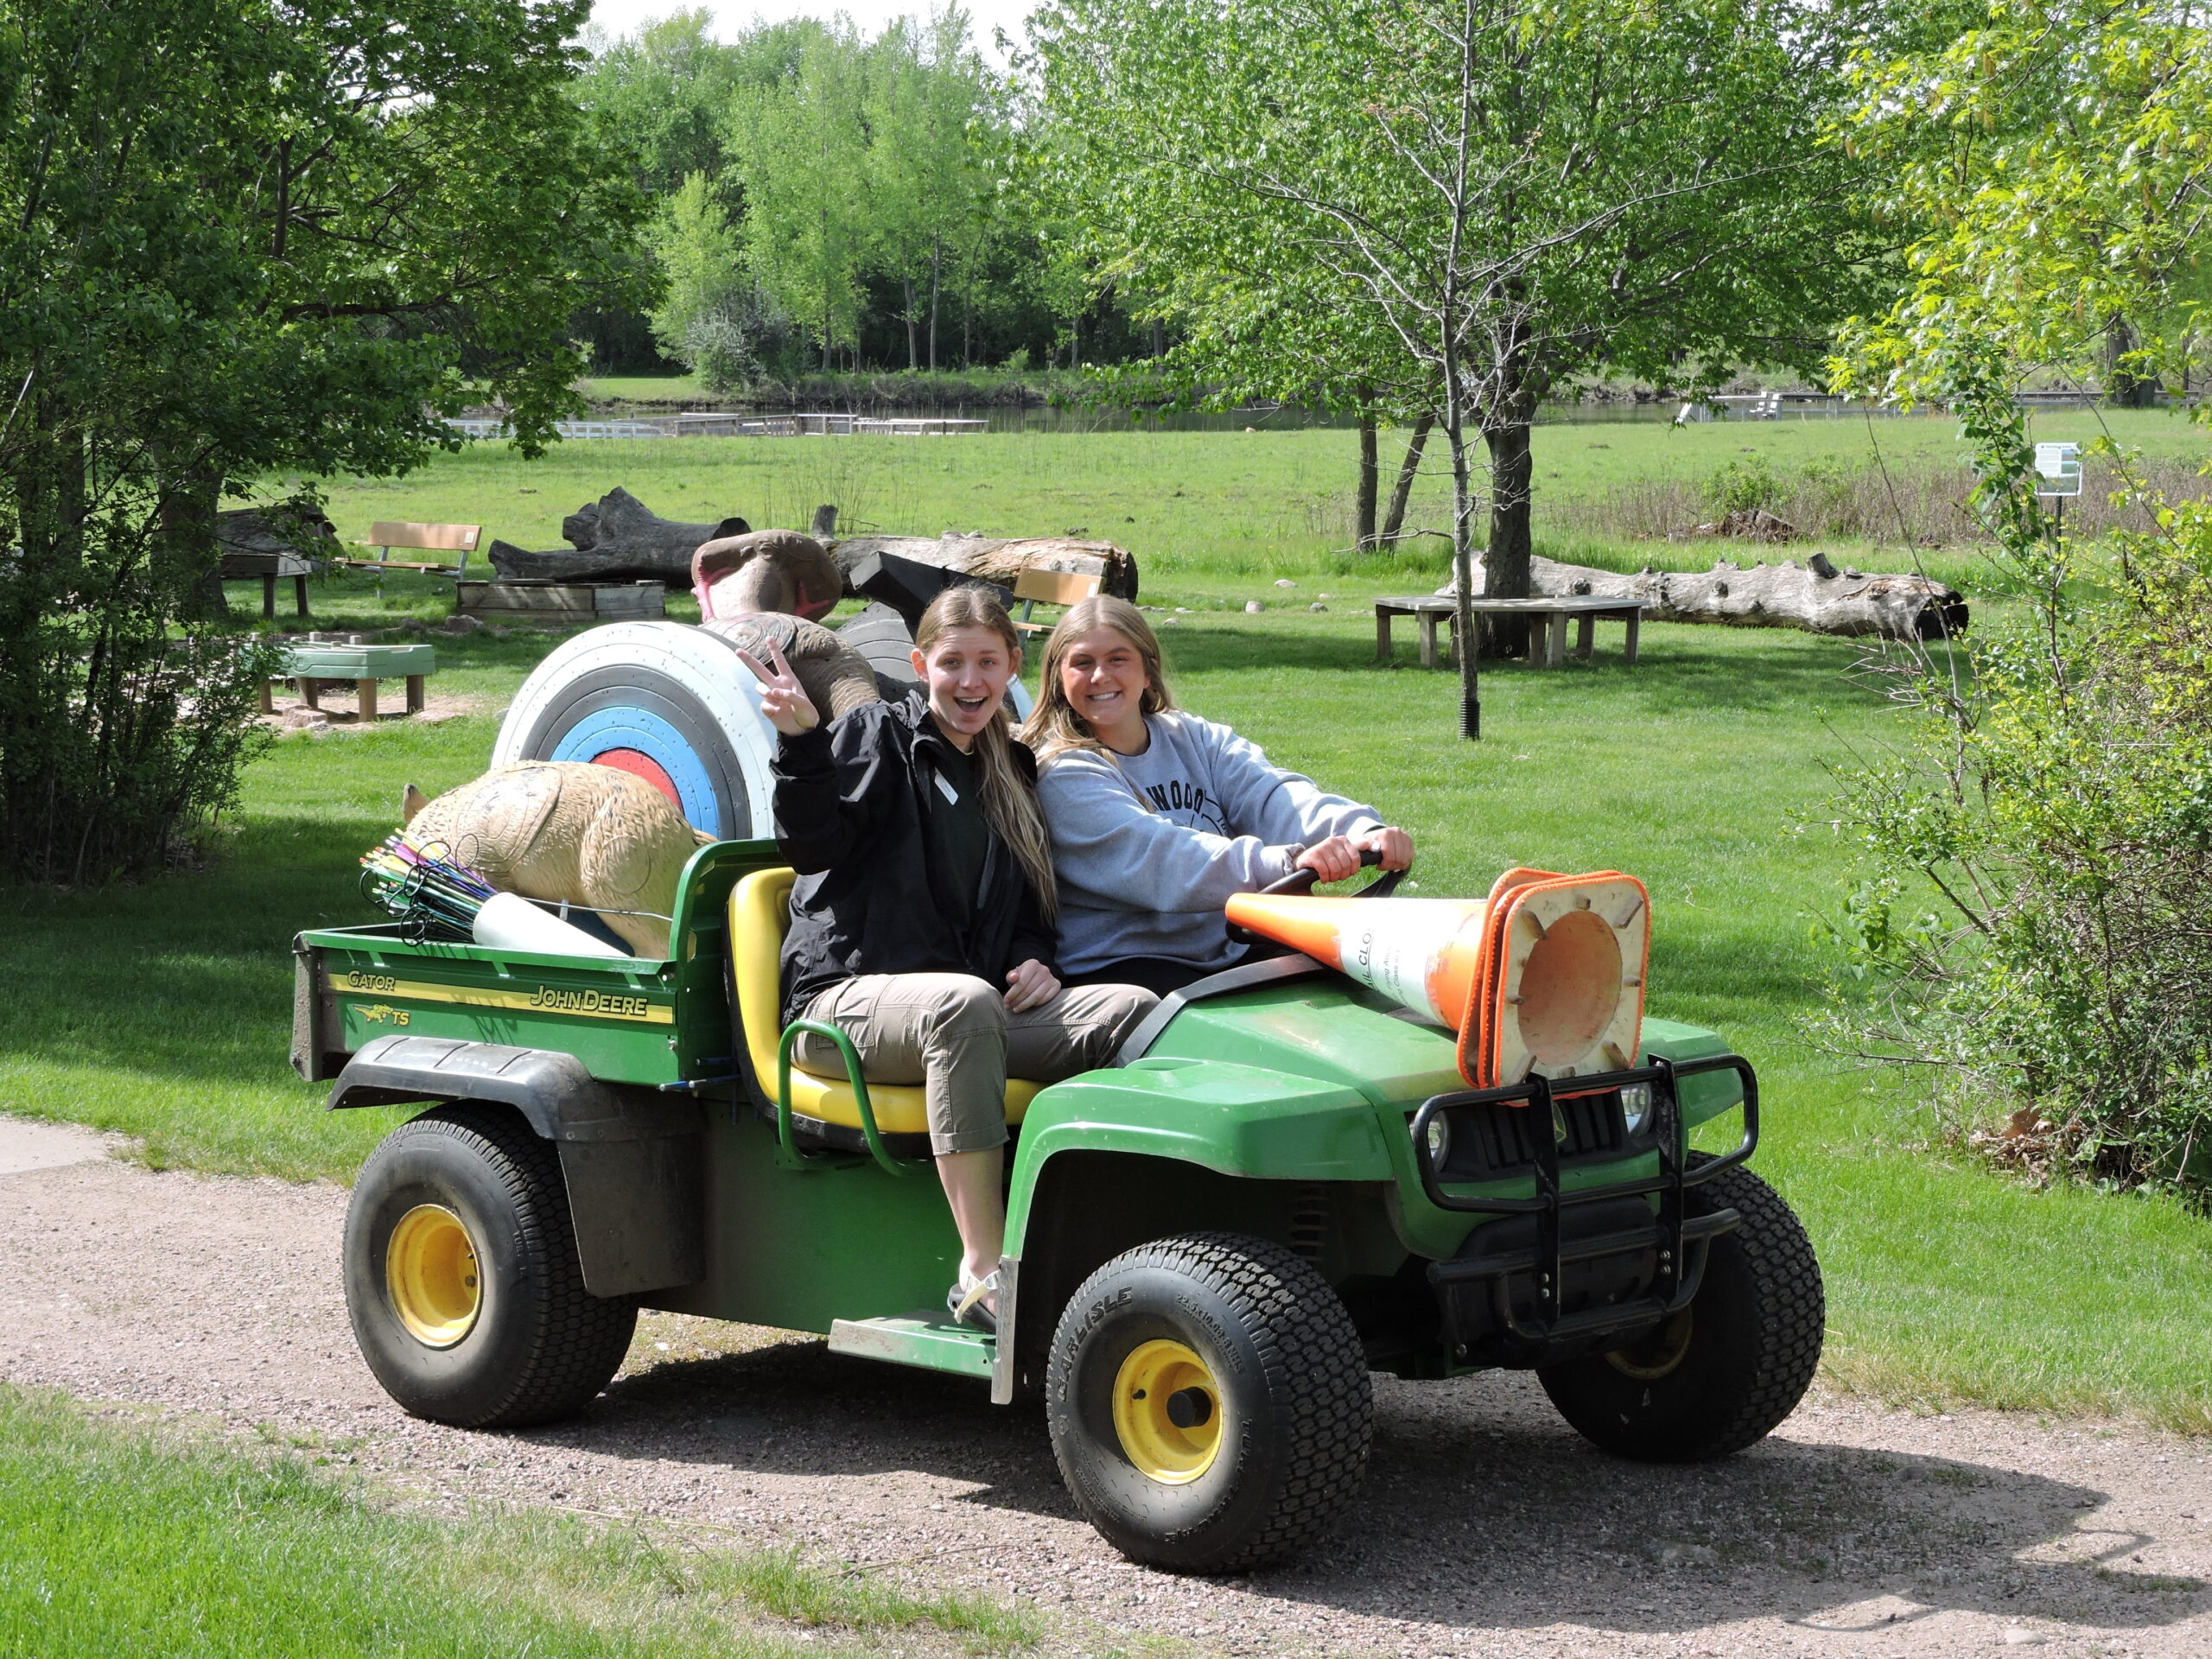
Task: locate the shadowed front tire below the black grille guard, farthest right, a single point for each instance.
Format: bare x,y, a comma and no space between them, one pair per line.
1731,1366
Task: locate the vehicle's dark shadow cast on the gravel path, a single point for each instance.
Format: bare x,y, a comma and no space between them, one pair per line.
1481,1507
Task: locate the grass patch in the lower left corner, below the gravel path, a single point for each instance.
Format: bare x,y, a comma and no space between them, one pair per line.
125,1543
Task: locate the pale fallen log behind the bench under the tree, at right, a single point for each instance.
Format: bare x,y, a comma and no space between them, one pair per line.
1813,596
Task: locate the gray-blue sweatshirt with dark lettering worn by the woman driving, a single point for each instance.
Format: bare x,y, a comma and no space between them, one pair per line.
1151,846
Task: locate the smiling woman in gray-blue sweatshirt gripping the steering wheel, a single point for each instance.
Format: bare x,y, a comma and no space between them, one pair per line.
1158,817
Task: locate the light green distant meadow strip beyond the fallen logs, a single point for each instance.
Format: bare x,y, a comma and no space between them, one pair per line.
1191,505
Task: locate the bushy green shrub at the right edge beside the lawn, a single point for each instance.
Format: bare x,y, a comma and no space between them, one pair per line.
2032,928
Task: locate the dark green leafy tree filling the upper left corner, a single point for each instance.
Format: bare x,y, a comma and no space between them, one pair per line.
242,240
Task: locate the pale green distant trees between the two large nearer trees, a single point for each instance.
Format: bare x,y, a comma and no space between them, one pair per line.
862,202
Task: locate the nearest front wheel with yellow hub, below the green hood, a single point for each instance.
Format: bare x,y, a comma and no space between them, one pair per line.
1209,1404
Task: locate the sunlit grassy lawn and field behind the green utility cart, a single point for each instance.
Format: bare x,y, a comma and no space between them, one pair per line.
165,1012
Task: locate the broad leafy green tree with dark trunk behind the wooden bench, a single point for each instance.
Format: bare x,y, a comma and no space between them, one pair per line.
1519,191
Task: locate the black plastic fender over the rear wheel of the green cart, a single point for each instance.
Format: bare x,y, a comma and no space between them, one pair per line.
632,1158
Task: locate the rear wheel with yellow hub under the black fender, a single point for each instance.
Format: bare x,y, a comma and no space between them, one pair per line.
461,1275
